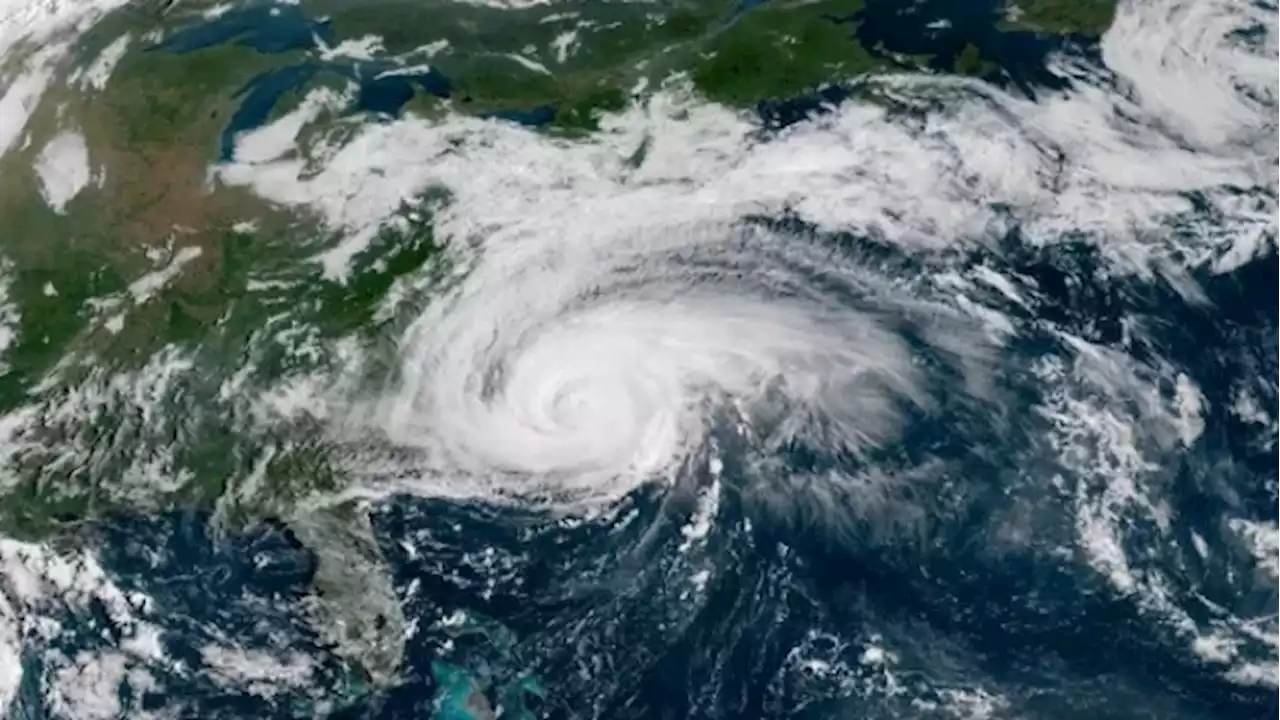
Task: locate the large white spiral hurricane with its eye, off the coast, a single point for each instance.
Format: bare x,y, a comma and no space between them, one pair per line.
572,375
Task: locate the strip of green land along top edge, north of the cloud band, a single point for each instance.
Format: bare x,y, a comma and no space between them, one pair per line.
586,60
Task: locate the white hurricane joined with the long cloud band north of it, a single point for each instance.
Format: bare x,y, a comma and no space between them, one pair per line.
611,309
